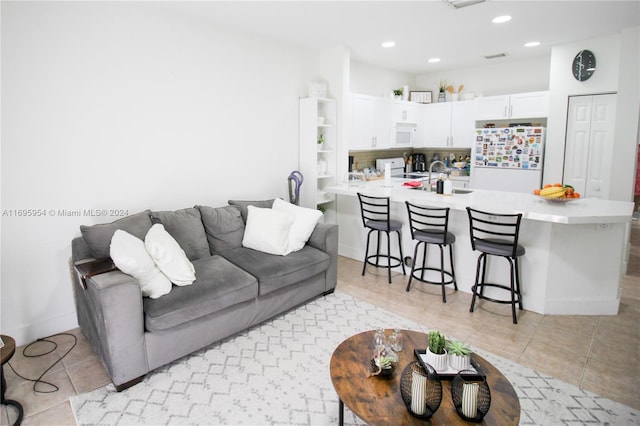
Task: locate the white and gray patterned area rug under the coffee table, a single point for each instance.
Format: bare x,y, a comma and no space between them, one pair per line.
278,374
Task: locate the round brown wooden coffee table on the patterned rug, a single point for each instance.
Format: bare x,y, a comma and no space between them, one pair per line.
377,400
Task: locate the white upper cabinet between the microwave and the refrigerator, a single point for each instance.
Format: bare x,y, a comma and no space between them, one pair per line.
448,124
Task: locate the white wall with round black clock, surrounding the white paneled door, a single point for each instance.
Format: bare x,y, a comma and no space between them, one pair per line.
617,71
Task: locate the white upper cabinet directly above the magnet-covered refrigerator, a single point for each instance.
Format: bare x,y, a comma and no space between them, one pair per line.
521,105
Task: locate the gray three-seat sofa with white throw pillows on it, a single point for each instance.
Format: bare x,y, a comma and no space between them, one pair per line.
235,288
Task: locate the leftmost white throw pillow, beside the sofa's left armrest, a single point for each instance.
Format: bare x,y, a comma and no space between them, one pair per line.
131,257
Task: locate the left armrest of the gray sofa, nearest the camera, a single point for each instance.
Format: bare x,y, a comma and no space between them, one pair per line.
113,314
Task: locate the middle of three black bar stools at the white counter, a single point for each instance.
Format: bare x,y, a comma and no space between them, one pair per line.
429,225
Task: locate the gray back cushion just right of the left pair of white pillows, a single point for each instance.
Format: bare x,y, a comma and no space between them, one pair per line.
186,227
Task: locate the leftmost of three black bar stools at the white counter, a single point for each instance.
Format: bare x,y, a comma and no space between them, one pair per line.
375,213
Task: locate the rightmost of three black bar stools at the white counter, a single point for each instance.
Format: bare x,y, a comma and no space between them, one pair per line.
496,235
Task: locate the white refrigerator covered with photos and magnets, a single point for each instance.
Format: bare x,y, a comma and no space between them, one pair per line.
507,159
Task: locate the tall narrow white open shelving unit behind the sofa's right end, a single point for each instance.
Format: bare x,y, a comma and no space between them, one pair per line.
317,154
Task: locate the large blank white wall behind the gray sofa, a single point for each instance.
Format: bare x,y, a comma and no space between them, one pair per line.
110,105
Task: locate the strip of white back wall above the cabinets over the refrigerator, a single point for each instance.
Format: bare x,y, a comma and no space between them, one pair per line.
497,77
